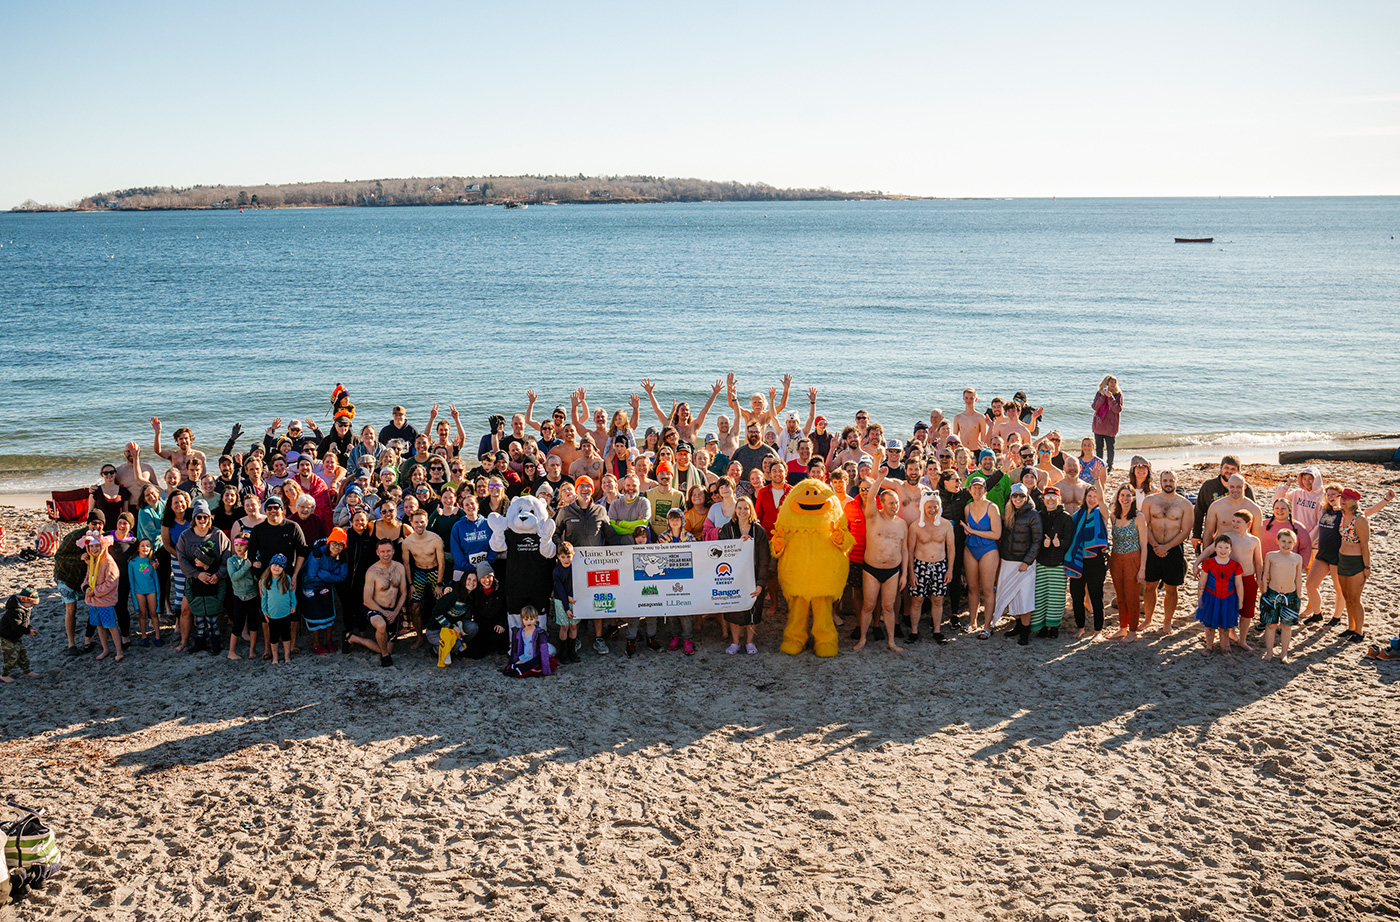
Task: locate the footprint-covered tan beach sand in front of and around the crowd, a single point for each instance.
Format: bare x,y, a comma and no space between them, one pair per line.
979,781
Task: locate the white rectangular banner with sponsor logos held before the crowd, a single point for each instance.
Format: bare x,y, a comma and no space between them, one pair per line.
661,580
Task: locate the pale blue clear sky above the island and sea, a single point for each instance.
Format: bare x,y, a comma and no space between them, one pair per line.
933,99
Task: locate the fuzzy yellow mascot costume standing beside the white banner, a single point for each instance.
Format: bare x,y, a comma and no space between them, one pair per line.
811,542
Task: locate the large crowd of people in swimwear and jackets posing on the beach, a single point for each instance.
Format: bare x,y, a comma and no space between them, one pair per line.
383,531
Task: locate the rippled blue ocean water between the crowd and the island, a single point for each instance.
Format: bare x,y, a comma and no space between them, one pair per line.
1283,331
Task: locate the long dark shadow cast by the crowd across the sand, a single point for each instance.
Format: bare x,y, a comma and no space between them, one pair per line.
198,709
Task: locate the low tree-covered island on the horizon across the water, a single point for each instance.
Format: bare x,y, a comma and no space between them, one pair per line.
446,191
